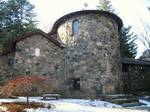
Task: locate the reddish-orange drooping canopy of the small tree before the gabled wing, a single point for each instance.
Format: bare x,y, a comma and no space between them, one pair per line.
28,86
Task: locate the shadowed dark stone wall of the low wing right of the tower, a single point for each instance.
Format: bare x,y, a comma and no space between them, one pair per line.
136,78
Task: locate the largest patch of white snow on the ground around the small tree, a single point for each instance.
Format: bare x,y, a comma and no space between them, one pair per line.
74,105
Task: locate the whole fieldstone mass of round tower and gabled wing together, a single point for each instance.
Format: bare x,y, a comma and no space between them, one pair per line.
89,61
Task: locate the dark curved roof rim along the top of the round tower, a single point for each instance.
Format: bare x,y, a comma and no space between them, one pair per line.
85,12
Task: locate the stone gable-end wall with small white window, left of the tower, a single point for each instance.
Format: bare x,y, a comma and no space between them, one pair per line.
48,61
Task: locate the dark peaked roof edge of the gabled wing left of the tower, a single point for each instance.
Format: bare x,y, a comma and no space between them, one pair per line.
28,35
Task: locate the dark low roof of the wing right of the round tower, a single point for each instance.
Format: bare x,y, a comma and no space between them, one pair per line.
130,61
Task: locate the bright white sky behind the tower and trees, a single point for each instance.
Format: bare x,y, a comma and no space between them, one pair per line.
130,11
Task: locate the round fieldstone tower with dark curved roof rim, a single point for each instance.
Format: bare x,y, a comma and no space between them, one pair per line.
92,55
